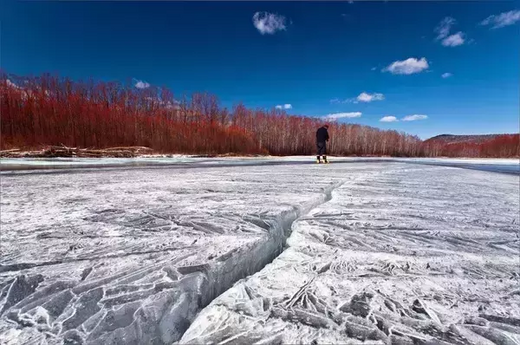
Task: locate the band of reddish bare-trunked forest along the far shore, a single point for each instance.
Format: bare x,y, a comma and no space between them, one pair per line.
48,110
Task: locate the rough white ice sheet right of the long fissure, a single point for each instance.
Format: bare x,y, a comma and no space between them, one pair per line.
416,255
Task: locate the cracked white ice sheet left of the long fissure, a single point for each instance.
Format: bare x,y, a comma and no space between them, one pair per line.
131,256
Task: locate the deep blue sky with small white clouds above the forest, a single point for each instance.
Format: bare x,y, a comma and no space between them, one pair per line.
363,60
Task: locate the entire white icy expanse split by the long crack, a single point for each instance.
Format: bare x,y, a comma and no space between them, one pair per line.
380,252
